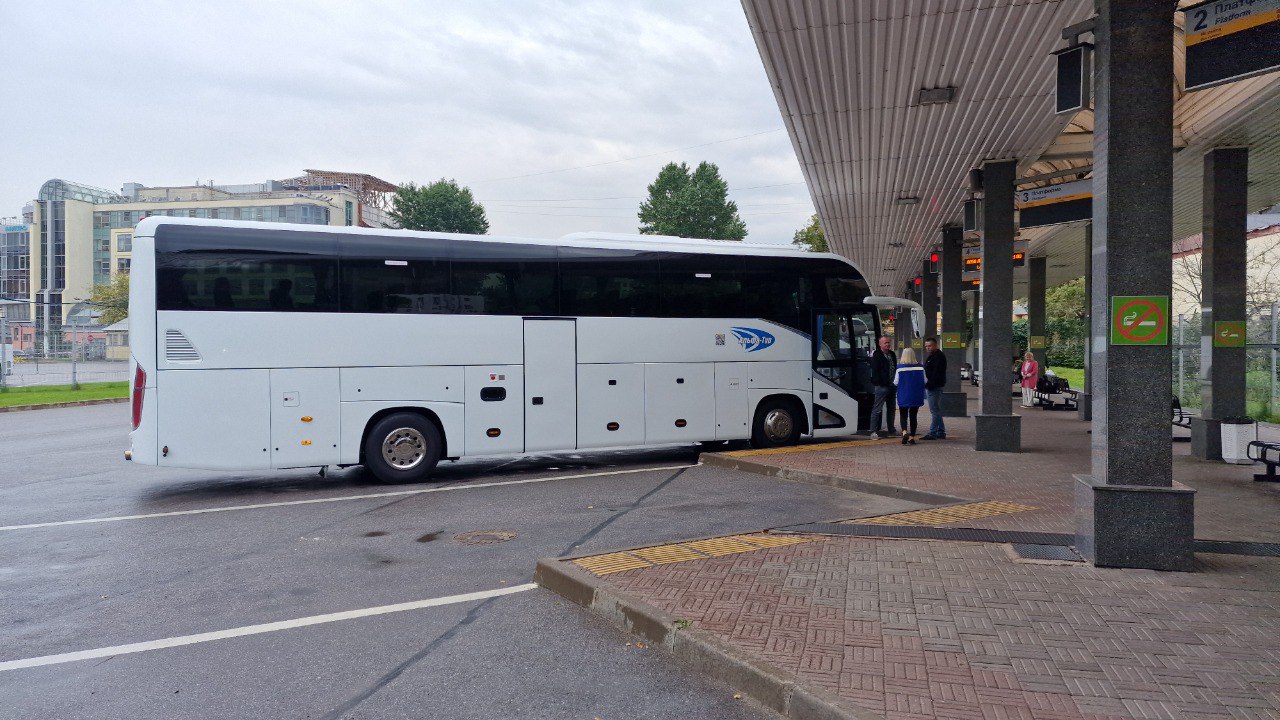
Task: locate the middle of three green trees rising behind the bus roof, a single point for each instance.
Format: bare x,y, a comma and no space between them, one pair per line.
692,204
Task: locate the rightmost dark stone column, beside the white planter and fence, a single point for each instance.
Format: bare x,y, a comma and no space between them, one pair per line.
1223,281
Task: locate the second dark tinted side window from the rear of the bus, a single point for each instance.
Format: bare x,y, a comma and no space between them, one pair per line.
396,276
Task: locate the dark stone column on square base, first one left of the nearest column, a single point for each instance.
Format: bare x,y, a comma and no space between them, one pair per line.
996,427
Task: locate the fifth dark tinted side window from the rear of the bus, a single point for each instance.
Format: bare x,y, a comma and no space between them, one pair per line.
702,286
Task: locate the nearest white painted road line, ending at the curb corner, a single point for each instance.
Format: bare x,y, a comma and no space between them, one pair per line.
257,630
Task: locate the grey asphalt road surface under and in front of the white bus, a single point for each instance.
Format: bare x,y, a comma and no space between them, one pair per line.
162,562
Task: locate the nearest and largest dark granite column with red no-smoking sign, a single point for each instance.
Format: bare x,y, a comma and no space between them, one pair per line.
1128,512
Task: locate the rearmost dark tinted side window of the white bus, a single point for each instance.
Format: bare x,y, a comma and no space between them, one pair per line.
257,271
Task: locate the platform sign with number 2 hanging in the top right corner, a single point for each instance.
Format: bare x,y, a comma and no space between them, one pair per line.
1229,40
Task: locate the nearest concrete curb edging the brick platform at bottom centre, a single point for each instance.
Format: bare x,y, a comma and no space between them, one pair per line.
701,650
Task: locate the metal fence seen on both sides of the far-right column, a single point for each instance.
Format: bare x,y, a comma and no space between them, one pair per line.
1261,376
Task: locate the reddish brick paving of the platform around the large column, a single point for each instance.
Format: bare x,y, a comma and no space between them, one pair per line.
927,630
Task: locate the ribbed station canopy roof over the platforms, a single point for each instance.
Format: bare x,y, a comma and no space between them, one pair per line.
849,80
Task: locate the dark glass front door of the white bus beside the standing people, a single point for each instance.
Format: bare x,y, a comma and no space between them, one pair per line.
843,343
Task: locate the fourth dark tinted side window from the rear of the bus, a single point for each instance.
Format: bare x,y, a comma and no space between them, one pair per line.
621,284
